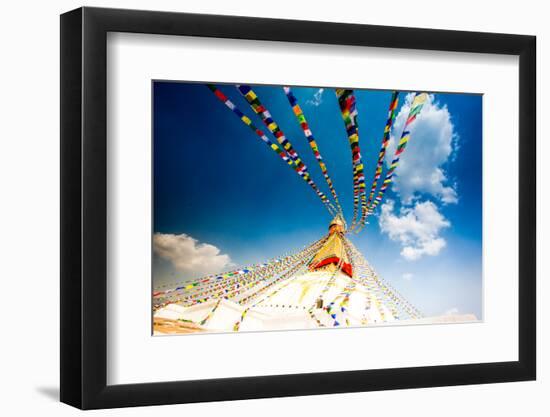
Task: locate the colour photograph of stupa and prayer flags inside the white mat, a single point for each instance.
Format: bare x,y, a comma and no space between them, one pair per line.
280,207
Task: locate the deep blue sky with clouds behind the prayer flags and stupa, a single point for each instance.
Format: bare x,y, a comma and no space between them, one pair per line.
222,198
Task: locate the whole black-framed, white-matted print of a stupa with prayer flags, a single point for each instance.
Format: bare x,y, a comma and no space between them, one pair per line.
256,208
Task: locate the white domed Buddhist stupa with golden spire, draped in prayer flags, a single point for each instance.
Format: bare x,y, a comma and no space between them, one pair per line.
327,284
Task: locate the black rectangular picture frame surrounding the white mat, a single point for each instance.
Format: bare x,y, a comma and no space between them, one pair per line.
84,207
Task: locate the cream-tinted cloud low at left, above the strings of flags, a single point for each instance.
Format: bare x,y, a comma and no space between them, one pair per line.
188,255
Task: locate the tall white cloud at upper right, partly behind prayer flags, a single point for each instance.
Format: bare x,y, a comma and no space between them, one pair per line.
432,142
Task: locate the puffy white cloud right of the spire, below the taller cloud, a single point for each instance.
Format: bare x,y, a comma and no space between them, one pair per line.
417,228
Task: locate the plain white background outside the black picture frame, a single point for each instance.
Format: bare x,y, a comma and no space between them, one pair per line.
29,207
